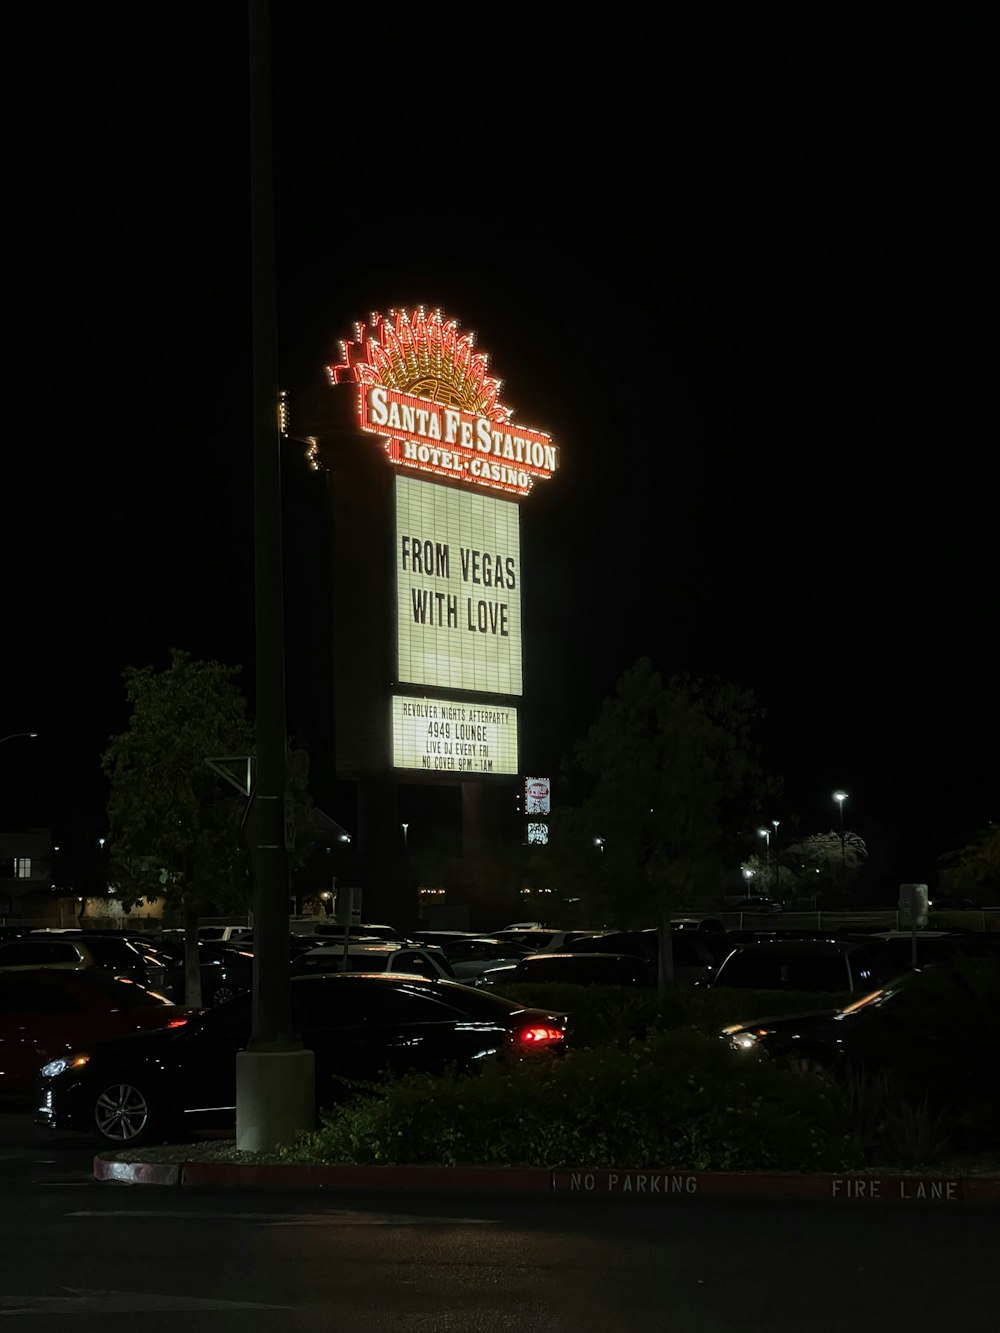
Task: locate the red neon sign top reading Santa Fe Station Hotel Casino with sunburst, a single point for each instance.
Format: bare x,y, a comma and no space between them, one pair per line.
427,394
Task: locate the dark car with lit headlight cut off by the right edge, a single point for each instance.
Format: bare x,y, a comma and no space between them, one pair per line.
933,1032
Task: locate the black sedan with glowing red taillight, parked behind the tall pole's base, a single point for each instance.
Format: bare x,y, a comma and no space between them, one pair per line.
361,1027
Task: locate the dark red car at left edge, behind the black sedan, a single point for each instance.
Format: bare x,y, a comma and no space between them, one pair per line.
46,1012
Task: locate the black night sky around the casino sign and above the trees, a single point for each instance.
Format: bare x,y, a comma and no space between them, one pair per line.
723,263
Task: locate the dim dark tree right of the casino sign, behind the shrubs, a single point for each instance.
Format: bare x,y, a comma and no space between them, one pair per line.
655,796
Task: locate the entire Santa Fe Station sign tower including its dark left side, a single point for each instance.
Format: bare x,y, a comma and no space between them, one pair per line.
434,542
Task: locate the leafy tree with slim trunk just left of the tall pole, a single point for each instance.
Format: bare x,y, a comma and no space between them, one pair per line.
175,828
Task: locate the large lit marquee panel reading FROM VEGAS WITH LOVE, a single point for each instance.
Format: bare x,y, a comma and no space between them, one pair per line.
458,590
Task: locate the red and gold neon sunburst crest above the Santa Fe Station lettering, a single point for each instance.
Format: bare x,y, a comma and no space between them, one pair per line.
425,355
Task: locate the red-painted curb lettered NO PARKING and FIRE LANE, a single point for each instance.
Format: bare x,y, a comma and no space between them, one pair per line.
674,1187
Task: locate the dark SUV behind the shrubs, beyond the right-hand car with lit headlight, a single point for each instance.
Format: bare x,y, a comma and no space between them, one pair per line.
831,966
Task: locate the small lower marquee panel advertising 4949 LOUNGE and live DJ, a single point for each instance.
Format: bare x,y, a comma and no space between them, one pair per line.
447,736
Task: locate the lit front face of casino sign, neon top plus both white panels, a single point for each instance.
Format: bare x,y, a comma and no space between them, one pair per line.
462,469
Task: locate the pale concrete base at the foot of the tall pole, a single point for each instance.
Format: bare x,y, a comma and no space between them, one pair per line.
275,1098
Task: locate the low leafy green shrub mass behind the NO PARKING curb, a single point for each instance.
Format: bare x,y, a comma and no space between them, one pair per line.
679,1100
